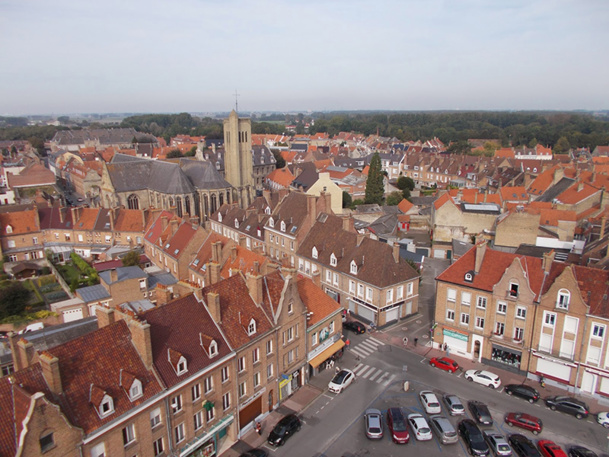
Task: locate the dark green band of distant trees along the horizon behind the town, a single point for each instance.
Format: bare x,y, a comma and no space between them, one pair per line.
573,129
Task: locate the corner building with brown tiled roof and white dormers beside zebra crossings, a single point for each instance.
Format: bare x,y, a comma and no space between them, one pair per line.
367,277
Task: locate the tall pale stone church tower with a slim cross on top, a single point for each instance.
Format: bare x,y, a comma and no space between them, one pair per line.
238,166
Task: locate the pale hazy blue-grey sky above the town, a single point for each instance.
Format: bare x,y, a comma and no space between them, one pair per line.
152,56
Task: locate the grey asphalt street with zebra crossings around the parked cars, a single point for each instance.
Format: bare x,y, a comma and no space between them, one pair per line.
333,425
